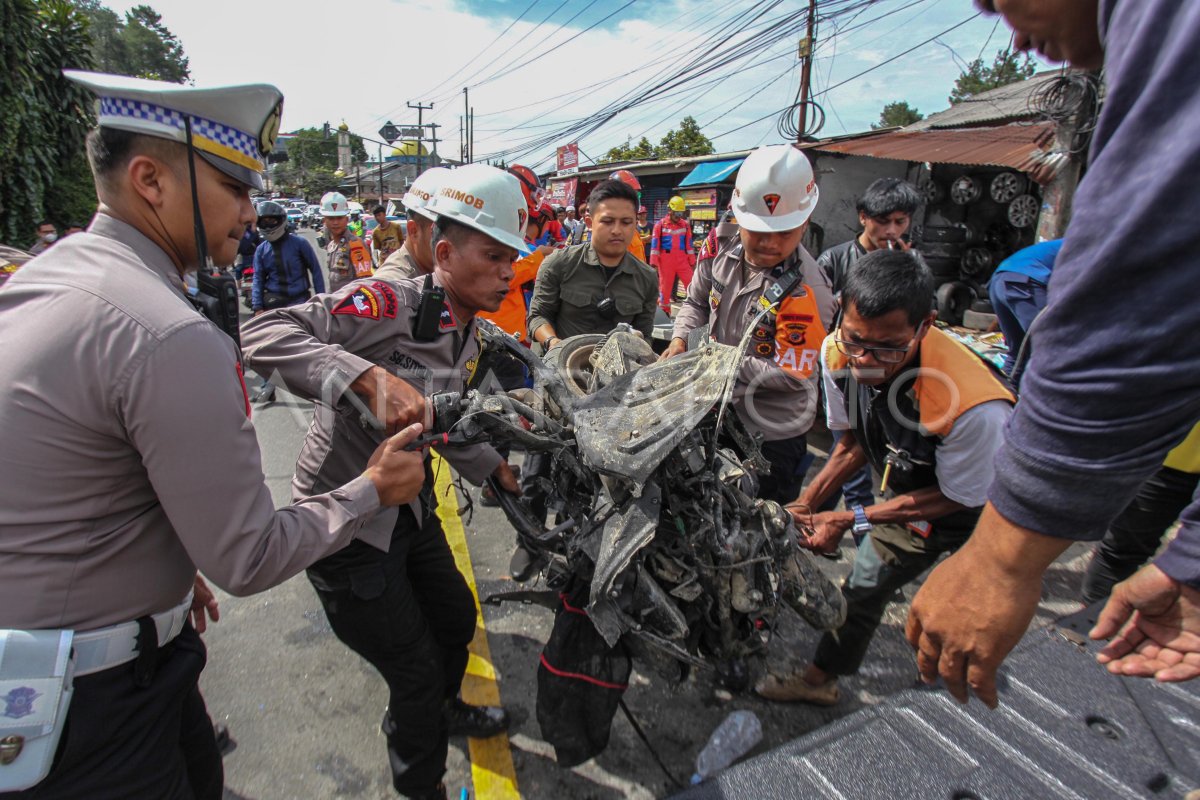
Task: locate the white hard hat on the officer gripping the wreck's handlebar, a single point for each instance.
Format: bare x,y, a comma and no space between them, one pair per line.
488,200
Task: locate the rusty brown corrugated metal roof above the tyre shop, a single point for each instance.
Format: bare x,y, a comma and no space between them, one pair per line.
1009,146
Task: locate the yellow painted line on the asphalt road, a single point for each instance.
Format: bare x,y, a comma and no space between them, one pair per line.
491,760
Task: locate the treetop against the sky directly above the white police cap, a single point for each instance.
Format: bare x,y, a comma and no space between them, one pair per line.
141,46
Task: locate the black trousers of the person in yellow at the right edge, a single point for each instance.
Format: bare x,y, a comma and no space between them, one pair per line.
1136,534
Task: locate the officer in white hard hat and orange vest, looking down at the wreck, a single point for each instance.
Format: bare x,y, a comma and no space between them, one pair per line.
777,393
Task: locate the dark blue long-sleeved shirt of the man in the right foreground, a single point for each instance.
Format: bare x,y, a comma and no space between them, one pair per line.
1114,380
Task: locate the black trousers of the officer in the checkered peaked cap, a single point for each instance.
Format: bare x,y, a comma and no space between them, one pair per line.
130,743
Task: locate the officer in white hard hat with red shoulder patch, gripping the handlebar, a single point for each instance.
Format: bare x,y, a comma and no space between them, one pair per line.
407,611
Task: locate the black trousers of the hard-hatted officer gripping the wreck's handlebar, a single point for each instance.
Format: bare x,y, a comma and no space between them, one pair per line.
411,615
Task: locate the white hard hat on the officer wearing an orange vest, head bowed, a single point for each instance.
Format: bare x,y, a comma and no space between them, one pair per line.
776,190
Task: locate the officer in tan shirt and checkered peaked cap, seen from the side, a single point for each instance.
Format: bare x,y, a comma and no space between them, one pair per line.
128,452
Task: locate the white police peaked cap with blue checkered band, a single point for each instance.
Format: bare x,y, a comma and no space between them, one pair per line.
233,128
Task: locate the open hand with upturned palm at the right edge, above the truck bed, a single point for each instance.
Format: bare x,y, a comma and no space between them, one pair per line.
1156,622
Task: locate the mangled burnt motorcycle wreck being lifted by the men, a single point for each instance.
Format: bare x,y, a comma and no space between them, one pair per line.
661,550
